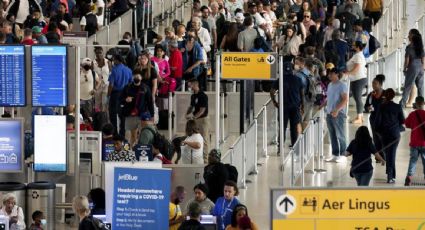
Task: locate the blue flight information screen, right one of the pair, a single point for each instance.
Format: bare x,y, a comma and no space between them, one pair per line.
49,75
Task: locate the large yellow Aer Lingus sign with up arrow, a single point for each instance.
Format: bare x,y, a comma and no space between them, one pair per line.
357,209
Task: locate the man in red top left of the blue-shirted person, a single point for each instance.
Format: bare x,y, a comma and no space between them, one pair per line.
176,62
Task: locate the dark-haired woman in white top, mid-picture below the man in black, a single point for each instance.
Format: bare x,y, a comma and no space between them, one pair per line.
193,146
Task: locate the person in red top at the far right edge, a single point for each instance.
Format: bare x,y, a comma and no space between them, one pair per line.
415,121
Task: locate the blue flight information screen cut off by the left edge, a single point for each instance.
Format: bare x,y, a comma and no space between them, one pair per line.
12,76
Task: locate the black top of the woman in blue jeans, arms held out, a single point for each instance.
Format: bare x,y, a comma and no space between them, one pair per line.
362,162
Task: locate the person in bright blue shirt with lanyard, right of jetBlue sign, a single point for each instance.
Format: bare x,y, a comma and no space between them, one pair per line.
224,205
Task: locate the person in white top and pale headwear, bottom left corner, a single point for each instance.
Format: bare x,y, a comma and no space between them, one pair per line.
13,211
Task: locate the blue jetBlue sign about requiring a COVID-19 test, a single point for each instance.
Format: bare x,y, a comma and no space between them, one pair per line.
141,198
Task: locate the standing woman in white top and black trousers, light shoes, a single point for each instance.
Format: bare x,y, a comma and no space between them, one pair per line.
357,75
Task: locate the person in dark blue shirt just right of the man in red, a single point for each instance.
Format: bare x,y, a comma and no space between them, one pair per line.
192,57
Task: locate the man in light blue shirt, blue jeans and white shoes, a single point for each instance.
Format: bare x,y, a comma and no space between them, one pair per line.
336,115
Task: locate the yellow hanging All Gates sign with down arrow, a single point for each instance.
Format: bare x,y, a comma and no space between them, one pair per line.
248,66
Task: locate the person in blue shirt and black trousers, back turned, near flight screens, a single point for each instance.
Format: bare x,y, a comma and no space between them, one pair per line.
120,76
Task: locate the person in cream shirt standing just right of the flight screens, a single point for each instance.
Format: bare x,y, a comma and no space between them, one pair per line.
88,86
